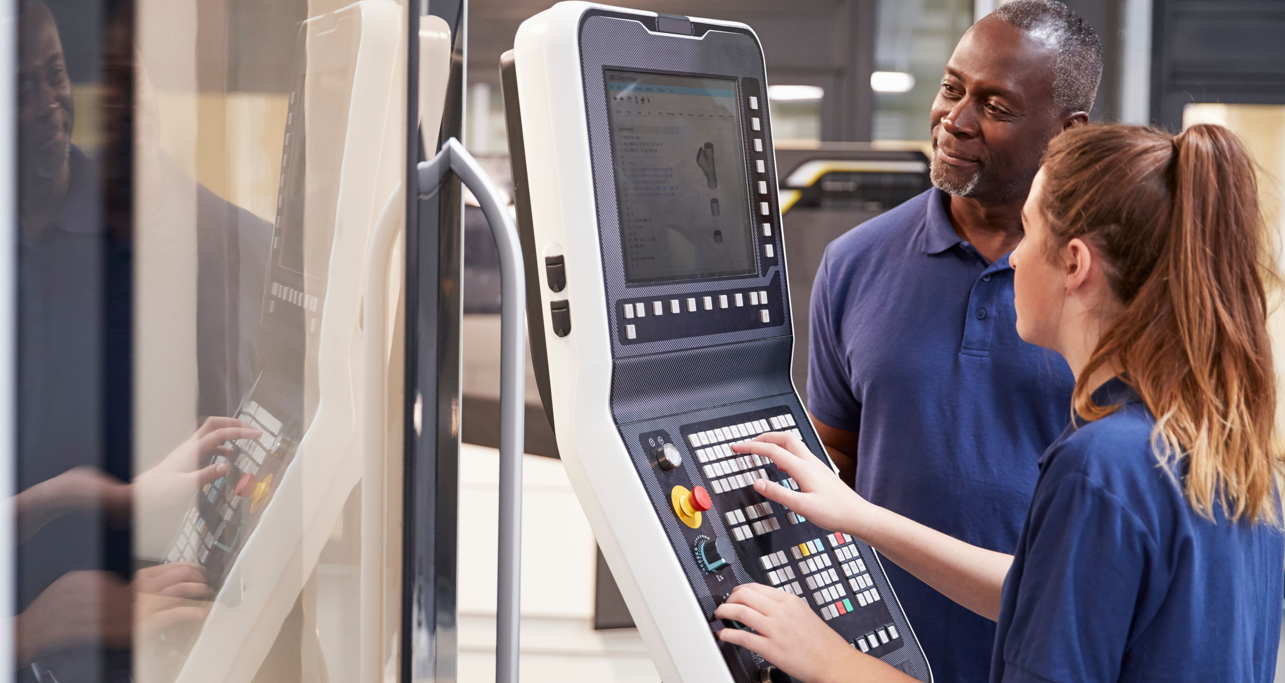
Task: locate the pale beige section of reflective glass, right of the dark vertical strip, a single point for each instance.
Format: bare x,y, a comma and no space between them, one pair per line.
277,152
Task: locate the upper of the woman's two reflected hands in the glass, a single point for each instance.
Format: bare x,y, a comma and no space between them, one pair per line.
179,477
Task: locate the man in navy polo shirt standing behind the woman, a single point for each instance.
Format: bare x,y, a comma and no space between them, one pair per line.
918,383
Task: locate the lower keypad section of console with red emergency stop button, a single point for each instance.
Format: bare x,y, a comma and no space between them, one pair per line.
743,537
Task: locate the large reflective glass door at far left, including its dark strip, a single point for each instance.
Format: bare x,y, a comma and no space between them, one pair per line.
201,187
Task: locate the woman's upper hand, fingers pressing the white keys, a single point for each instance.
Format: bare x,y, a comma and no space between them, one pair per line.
823,497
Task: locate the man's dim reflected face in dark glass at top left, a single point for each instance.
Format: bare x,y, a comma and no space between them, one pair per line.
44,97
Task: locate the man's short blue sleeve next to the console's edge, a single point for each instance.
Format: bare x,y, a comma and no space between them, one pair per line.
829,390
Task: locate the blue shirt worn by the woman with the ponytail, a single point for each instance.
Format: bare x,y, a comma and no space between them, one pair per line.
1117,578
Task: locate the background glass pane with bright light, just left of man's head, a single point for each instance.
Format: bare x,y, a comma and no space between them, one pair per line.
914,42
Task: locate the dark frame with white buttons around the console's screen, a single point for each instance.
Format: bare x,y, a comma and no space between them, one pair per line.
611,44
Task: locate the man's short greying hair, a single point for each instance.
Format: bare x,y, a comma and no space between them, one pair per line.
1080,52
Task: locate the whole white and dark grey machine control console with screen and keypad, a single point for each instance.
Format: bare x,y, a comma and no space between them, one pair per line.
671,251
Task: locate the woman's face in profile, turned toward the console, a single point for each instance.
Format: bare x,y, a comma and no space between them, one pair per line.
1039,277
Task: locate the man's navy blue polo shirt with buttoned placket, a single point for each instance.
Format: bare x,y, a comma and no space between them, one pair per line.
914,347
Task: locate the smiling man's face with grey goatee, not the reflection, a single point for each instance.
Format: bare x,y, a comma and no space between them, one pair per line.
995,114
